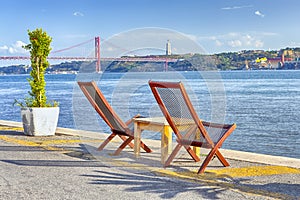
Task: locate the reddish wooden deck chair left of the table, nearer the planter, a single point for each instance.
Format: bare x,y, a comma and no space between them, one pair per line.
117,126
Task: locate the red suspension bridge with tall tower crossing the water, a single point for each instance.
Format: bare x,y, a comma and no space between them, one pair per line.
97,56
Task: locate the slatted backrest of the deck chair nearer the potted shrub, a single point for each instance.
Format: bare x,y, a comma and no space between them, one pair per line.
102,107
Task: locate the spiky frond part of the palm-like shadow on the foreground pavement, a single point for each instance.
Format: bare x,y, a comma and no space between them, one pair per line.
165,187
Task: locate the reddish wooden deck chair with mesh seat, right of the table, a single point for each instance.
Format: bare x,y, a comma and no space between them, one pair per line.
178,110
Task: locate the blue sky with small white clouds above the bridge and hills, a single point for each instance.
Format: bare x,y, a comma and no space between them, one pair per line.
215,25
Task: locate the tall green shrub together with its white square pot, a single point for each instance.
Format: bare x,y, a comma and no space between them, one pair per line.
39,115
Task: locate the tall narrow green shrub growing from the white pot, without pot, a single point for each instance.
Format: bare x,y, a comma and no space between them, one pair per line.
39,48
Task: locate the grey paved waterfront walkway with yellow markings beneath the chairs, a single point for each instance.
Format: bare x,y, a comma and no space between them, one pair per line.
68,166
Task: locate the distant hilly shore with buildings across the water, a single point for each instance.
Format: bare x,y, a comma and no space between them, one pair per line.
186,62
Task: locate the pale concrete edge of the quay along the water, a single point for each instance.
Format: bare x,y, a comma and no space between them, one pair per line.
231,154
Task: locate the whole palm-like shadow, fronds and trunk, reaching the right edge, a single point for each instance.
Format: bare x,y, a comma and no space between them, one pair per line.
206,187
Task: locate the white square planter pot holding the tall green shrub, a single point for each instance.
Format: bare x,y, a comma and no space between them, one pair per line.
40,121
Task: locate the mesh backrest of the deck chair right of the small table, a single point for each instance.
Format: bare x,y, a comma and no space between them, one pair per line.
176,106
